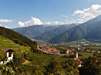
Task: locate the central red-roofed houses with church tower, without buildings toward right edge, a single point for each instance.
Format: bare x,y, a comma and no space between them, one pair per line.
46,49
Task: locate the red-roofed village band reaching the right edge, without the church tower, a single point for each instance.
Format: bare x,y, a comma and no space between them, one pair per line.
68,52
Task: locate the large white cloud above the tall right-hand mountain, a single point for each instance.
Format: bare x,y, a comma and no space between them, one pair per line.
88,13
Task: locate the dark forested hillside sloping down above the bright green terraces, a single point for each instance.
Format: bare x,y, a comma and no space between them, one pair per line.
17,38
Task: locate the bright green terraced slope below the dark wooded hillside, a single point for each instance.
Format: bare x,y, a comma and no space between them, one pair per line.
8,44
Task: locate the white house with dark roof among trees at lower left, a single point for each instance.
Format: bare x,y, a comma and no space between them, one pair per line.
9,54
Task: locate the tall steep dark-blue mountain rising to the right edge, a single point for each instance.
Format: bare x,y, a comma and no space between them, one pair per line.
89,30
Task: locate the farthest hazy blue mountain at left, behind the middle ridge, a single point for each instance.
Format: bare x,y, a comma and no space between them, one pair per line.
34,31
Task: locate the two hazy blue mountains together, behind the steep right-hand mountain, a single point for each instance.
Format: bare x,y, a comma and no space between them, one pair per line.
43,32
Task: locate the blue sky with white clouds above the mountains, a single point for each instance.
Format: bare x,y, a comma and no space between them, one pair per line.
23,13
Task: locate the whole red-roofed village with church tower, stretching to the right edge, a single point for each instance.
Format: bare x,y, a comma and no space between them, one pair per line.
71,53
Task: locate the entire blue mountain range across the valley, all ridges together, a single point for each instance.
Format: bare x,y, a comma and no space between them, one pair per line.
89,30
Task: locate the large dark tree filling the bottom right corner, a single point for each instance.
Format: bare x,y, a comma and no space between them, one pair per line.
90,67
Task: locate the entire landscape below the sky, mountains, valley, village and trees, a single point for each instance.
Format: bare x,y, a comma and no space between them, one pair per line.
46,50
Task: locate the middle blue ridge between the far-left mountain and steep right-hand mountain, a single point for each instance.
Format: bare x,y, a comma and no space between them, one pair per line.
46,36
